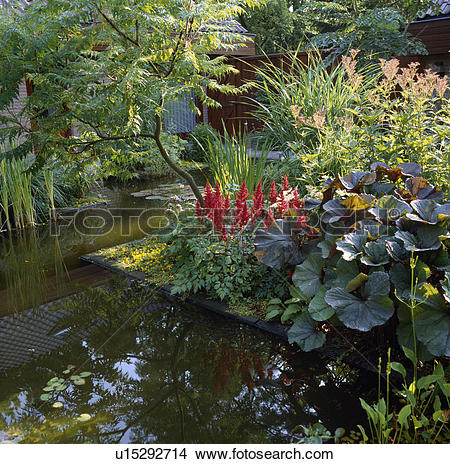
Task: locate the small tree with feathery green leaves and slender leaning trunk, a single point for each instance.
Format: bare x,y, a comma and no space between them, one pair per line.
108,69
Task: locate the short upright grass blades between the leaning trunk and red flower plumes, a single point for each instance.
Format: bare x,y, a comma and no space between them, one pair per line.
233,160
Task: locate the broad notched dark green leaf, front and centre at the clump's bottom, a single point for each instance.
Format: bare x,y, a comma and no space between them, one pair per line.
363,313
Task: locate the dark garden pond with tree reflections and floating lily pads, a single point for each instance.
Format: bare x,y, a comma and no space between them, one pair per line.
120,364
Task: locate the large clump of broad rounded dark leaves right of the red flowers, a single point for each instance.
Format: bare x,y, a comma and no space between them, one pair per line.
360,273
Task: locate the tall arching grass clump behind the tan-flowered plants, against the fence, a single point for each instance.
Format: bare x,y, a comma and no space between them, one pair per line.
320,91
